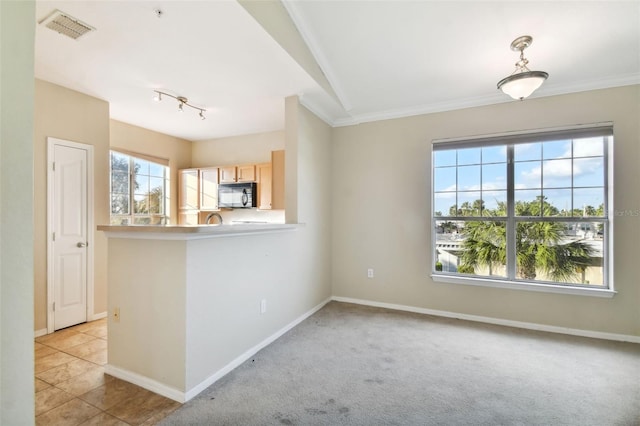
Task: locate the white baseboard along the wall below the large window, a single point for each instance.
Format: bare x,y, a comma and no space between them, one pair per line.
496,321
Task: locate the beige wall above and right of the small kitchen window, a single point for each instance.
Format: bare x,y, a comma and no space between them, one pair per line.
137,139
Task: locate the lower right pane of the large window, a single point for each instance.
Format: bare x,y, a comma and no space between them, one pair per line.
554,251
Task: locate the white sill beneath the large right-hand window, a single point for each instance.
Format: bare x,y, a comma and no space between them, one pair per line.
546,288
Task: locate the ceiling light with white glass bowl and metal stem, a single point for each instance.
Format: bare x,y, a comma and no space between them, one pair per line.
522,82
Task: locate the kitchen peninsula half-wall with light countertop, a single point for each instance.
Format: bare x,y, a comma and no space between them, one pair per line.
189,303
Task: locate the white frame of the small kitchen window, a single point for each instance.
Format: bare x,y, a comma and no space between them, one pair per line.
131,218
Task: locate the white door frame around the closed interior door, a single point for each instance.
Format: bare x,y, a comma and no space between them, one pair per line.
51,143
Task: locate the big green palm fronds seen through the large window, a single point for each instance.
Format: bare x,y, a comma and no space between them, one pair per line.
539,247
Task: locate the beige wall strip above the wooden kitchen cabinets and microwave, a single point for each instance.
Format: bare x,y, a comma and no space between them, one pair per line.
254,148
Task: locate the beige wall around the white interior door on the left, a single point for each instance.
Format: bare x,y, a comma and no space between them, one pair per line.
66,114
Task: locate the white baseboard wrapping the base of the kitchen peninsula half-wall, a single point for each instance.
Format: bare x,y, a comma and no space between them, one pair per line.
182,397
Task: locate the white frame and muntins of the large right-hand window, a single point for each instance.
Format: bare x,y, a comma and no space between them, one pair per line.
509,140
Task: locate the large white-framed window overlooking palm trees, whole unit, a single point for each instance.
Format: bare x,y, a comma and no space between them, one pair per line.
525,211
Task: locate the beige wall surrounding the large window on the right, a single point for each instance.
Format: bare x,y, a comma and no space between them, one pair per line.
381,211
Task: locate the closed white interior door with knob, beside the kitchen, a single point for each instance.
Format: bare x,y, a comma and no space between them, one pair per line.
69,233
